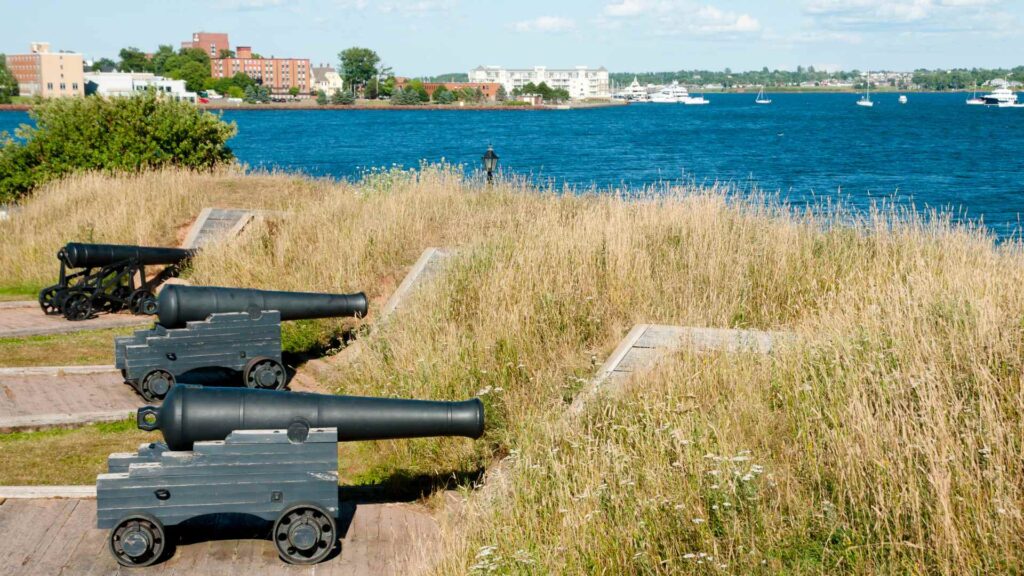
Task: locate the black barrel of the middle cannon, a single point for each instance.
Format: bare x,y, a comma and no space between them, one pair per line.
179,305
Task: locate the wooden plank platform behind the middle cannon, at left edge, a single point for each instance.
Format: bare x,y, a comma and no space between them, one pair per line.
62,396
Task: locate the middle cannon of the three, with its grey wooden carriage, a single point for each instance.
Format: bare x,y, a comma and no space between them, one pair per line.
238,330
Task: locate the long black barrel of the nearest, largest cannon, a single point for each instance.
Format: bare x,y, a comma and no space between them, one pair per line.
192,415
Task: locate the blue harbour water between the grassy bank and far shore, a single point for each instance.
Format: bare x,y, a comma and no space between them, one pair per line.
934,151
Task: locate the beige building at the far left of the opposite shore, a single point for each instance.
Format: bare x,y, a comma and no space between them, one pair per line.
47,74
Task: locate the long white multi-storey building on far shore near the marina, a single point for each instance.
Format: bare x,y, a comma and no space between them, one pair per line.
581,83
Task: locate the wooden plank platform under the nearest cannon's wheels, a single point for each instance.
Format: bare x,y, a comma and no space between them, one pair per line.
59,537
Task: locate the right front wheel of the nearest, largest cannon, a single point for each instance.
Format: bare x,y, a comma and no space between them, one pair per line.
305,534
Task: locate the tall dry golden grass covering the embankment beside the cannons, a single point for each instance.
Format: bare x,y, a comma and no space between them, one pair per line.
888,441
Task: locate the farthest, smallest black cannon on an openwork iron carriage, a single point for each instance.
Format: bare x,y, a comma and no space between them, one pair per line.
111,278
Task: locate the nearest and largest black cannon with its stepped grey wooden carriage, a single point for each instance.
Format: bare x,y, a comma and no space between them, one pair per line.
268,455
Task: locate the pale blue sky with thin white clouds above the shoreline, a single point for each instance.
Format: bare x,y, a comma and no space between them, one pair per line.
429,37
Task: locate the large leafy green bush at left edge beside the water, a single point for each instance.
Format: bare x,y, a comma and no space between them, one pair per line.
115,136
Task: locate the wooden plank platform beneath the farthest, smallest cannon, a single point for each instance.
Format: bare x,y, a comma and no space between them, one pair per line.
25,318
